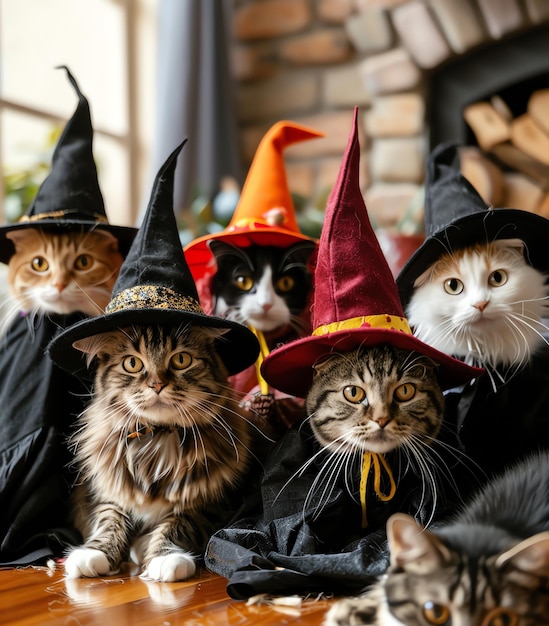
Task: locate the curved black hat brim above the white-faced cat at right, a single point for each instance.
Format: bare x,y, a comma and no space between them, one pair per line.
479,227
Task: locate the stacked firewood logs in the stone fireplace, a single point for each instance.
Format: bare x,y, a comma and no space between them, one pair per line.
510,165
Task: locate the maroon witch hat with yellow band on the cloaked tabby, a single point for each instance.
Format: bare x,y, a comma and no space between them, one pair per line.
356,301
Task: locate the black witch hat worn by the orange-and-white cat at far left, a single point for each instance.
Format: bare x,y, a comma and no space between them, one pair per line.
69,198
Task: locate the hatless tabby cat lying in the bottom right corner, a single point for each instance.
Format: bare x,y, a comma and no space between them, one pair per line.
488,566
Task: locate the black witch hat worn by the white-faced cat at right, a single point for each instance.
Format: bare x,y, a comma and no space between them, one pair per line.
456,216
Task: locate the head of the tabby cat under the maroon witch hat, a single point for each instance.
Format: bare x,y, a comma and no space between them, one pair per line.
376,399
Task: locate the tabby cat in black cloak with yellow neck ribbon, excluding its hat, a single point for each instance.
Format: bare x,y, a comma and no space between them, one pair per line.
374,443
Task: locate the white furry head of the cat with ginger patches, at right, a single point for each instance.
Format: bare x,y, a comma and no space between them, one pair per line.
483,304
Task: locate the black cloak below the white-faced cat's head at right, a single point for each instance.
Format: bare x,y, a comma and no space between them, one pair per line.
498,426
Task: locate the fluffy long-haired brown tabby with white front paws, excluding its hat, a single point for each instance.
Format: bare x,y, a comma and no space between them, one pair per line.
158,448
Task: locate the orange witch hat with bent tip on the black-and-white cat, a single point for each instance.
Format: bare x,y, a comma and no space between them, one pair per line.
265,213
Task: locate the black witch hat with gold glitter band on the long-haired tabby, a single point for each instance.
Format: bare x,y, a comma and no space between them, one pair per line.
155,286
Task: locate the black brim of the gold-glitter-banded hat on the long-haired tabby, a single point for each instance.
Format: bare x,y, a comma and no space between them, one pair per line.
238,348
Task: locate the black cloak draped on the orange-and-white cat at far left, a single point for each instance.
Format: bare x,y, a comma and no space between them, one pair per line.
38,405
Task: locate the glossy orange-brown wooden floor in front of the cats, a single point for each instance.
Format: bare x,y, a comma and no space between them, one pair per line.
38,596
